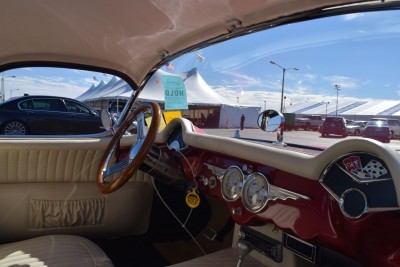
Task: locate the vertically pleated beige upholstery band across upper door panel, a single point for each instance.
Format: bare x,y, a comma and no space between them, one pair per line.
44,166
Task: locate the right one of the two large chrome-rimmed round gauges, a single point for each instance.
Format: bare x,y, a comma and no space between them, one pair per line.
255,192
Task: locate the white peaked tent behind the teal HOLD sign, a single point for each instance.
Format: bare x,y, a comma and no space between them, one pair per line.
199,93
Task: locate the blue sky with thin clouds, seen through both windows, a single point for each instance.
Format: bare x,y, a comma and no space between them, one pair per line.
359,52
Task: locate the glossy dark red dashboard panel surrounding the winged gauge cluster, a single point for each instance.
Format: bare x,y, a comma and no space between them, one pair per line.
317,219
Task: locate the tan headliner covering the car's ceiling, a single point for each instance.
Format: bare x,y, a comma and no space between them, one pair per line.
125,35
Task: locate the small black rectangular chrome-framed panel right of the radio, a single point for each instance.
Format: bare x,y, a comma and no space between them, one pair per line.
301,248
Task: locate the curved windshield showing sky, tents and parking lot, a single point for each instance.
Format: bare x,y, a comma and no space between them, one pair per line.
342,66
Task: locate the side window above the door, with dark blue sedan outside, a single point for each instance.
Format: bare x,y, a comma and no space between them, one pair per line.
58,101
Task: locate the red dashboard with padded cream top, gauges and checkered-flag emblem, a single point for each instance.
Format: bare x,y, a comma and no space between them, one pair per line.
336,197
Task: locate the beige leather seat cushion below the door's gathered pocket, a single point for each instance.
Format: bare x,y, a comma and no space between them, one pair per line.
53,250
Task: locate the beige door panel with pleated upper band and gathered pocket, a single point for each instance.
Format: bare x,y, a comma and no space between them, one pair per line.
49,187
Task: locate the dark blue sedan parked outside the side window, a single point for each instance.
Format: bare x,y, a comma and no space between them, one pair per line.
43,115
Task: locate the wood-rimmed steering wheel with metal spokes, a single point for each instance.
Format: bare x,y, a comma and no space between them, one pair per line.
121,171
